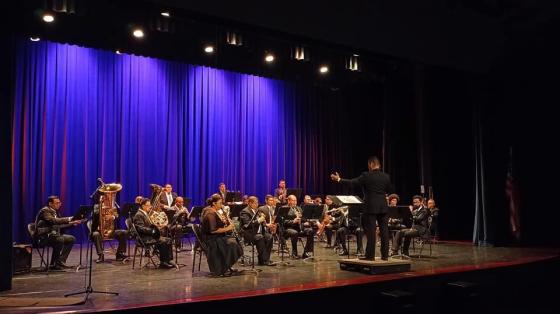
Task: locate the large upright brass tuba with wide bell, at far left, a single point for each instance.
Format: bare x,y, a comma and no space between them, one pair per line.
108,209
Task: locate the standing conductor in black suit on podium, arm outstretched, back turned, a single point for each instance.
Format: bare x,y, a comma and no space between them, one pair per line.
376,185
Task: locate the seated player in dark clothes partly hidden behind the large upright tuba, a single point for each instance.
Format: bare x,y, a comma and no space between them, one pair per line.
97,238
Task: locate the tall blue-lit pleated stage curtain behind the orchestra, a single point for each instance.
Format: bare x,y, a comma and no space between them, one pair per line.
83,113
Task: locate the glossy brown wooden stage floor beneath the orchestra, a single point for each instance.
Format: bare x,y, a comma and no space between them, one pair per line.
159,287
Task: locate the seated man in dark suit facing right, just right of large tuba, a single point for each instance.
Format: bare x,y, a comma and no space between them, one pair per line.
150,234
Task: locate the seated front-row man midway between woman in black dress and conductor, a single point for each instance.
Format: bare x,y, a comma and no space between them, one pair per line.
295,227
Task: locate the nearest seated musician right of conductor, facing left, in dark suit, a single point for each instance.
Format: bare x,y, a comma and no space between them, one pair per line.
420,217
